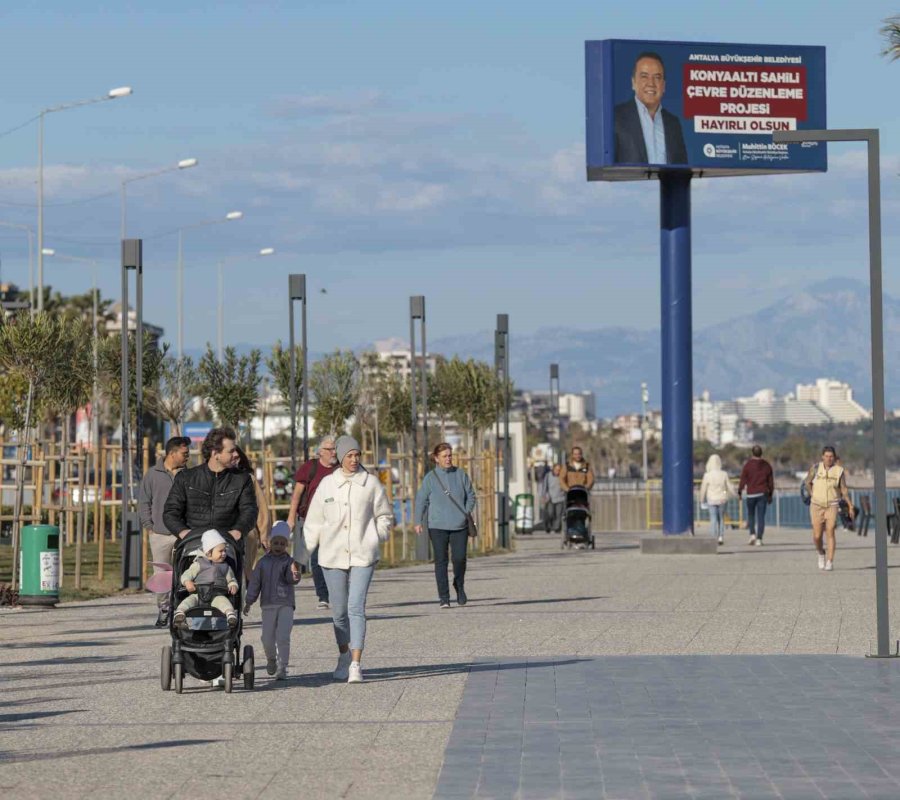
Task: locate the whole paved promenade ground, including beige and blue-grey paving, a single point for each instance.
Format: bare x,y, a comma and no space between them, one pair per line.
569,674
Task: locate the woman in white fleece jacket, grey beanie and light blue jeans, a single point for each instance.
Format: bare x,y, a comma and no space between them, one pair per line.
350,515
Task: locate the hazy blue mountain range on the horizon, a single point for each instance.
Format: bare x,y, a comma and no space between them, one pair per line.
821,332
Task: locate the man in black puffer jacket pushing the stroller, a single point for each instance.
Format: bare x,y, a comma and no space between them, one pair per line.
212,495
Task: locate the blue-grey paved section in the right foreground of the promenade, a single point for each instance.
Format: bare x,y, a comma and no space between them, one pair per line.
676,727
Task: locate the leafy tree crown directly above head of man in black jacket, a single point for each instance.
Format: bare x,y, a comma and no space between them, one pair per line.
232,385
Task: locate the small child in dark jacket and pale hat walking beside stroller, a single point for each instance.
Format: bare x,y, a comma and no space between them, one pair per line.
273,583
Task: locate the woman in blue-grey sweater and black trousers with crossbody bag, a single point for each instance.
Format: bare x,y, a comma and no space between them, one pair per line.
443,502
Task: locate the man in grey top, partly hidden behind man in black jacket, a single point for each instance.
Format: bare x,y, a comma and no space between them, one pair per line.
151,501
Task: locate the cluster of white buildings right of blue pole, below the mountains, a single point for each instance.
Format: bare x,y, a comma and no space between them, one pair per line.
727,422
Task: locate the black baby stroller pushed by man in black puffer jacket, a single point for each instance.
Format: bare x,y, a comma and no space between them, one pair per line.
207,648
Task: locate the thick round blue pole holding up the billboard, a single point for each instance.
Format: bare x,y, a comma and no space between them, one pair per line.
677,361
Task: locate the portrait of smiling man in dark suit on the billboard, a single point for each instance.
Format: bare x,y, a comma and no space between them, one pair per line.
645,133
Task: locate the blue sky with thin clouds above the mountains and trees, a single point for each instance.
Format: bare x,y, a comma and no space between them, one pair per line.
398,148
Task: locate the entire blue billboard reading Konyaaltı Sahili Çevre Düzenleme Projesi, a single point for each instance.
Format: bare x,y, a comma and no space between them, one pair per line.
710,108
